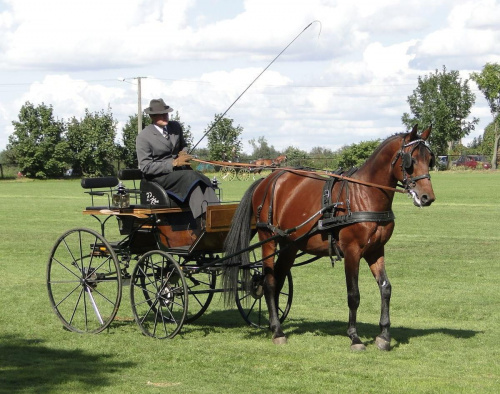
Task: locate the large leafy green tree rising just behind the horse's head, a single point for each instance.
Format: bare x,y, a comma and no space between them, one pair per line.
443,100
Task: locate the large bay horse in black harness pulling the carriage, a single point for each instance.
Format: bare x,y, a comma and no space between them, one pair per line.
289,208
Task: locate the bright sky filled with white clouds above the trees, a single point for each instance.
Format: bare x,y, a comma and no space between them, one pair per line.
345,79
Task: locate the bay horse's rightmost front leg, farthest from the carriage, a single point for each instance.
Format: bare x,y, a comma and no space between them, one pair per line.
377,267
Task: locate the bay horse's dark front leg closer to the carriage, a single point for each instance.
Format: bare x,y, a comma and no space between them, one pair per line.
351,266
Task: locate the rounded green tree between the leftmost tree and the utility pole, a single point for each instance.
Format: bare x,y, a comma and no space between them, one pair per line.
91,141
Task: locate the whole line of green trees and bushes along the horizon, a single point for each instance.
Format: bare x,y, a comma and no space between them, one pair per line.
45,147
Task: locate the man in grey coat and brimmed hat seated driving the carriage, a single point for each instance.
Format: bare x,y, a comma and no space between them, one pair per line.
163,158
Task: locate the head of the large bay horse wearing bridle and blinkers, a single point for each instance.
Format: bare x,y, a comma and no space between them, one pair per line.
411,167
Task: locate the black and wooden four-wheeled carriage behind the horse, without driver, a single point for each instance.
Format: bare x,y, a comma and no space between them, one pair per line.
169,261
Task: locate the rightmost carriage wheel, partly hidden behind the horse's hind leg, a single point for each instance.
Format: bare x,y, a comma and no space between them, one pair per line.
250,298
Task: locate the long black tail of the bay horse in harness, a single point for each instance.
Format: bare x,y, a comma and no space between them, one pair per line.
238,239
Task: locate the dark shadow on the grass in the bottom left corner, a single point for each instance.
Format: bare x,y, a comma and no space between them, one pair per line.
53,367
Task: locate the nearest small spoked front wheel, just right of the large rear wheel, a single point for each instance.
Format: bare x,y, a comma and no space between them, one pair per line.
158,294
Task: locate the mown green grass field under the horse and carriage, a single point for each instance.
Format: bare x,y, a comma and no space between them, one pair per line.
443,263
